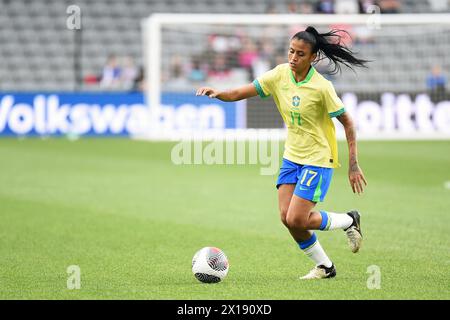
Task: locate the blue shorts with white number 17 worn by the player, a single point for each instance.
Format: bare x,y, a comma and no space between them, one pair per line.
311,182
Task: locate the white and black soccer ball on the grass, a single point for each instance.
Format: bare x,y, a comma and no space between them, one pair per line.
210,265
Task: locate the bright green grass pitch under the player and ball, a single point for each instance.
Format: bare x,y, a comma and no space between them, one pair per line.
132,221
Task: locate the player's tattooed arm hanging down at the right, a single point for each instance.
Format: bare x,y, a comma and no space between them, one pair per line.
355,174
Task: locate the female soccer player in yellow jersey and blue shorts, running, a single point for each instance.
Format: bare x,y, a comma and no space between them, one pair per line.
307,102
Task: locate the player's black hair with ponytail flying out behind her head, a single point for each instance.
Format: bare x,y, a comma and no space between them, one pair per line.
328,45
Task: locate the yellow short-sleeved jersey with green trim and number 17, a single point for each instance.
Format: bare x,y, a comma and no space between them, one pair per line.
307,108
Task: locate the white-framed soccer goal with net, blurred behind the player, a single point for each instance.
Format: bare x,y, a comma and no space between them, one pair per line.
403,94
